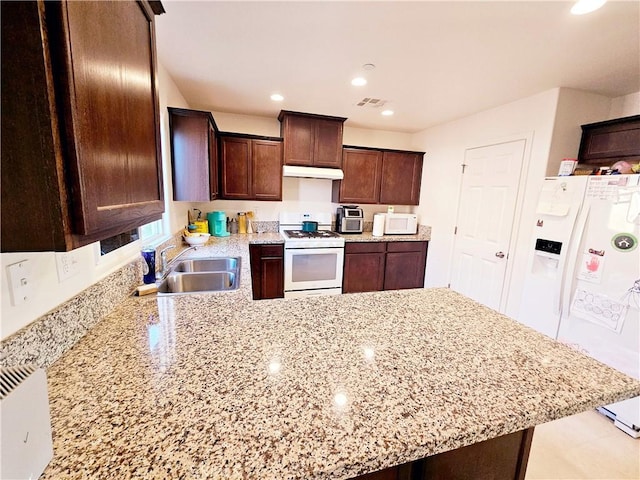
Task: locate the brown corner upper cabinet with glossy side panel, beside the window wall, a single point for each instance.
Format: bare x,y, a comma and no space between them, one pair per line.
194,155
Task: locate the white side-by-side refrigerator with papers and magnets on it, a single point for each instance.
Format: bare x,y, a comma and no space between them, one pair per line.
582,284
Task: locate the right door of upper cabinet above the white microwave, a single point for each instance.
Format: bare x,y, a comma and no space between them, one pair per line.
401,178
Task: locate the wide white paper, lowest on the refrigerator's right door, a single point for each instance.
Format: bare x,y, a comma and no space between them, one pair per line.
599,309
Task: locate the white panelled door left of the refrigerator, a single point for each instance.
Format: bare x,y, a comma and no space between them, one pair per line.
485,219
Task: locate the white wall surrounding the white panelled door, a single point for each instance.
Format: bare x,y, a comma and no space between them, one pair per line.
531,118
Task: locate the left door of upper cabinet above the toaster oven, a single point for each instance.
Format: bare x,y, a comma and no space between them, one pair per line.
362,177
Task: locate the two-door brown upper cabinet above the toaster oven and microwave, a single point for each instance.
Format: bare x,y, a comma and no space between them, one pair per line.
389,177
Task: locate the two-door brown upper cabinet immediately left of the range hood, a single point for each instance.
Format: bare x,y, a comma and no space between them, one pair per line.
251,167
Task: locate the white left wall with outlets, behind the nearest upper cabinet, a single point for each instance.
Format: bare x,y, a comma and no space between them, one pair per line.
48,292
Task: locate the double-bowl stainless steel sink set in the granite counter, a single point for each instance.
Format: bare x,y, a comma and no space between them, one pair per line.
201,275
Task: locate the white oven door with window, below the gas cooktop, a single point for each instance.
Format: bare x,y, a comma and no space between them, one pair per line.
313,268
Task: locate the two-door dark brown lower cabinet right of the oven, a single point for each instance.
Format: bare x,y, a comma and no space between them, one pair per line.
375,266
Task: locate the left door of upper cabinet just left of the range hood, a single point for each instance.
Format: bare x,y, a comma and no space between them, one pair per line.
236,168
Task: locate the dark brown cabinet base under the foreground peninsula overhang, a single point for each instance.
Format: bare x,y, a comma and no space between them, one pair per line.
500,458
